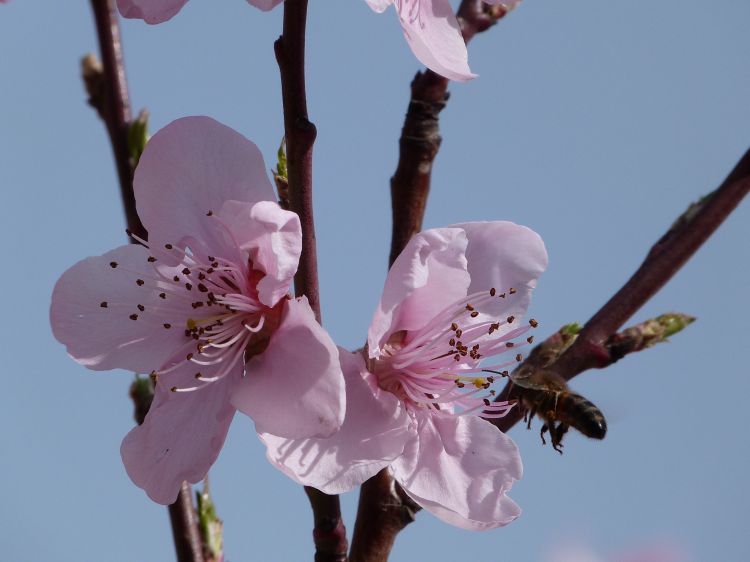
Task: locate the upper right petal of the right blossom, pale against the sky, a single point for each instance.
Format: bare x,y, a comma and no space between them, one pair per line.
504,255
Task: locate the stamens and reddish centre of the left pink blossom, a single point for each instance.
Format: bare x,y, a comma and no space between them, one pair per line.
214,300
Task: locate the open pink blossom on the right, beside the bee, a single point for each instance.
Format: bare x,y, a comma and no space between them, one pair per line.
417,395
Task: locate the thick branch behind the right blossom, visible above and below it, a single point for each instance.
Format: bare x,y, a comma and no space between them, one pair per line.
384,508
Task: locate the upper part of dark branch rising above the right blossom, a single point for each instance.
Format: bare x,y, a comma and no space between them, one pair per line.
420,135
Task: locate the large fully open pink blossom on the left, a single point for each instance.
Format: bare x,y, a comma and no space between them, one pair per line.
203,307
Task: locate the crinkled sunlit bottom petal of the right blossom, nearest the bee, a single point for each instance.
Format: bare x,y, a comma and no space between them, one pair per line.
460,468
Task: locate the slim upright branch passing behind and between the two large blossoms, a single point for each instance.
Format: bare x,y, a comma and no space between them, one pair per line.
329,533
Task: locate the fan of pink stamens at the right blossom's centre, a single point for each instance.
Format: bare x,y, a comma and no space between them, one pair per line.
438,365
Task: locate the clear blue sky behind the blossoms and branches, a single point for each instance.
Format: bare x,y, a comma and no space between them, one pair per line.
595,123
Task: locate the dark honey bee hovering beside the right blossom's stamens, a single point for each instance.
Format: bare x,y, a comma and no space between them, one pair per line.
546,394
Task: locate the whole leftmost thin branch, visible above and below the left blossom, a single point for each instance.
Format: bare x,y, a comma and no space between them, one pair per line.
108,94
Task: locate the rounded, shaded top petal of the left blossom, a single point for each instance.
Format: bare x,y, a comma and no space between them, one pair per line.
190,167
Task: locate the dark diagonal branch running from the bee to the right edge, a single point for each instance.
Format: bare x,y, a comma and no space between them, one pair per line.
597,344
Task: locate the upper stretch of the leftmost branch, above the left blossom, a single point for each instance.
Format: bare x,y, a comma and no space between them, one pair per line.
112,104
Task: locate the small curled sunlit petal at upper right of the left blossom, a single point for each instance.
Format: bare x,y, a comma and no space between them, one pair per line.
273,238
